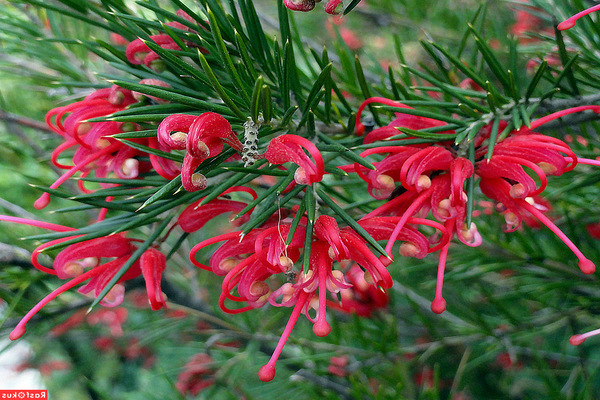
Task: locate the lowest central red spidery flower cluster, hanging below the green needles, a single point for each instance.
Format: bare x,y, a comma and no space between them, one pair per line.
250,266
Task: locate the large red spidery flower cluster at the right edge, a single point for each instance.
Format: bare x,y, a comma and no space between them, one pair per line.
418,180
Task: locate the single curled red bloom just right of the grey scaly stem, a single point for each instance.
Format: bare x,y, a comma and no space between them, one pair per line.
290,148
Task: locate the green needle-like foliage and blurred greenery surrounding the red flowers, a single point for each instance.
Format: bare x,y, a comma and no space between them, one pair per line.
513,302
